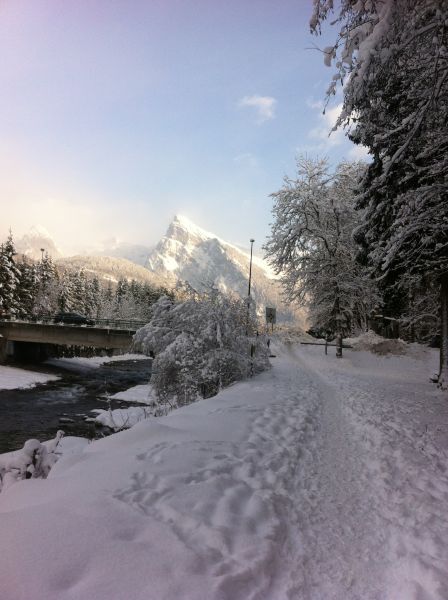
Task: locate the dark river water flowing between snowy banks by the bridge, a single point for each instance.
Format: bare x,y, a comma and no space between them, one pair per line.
36,412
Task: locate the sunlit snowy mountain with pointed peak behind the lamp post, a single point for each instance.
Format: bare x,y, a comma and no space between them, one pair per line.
201,258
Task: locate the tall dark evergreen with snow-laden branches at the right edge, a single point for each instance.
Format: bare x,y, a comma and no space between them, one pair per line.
396,54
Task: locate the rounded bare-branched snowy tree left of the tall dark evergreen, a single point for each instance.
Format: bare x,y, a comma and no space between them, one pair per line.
311,245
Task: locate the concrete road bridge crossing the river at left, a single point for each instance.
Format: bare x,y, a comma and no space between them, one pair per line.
31,338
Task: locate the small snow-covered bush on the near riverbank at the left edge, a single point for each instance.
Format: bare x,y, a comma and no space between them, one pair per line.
32,461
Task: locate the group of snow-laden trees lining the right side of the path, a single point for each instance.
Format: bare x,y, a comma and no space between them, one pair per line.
375,238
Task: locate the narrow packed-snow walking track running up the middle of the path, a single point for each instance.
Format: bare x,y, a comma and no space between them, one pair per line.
342,546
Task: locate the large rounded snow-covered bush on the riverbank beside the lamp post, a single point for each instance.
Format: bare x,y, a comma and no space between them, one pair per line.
200,346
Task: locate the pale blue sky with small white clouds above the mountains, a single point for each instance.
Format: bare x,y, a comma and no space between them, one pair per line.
117,115
